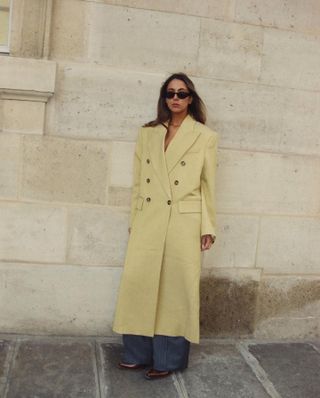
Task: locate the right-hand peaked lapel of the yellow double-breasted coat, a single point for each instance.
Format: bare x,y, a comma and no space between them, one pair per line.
184,138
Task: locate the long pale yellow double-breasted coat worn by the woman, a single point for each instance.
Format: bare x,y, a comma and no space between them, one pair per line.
172,206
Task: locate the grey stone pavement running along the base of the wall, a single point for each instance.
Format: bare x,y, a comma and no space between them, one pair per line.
45,367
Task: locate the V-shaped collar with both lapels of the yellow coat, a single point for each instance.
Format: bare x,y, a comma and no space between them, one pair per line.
164,162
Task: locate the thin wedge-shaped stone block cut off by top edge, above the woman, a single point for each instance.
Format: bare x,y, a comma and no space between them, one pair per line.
213,8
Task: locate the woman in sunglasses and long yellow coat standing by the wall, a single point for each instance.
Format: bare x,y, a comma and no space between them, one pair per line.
172,220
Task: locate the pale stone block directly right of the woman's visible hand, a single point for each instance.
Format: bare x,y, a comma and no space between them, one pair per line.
236,242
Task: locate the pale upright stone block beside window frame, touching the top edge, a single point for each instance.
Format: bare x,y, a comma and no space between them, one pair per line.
70,27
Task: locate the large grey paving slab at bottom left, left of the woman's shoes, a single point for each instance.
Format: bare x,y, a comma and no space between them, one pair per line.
50,369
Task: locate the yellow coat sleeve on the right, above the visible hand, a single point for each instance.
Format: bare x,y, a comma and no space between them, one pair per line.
208,215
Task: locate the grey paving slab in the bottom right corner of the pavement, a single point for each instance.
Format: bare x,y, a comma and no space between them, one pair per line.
293,368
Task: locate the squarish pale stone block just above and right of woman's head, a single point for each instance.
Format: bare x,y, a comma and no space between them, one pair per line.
230,51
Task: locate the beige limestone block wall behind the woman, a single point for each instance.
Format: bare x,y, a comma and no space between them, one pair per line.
74,92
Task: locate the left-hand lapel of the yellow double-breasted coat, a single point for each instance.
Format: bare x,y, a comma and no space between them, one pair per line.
156,150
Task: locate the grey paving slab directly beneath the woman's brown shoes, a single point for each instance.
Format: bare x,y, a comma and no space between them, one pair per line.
119,383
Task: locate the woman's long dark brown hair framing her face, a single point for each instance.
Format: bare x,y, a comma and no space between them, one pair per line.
196,109
